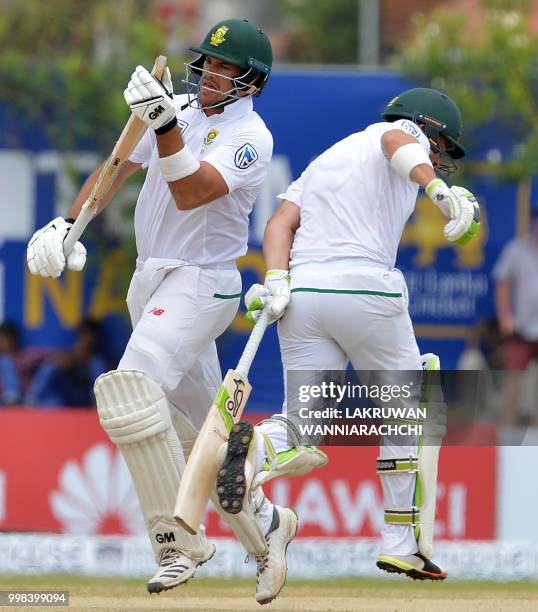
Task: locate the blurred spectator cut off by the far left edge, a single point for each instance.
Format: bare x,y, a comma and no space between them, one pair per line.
17,366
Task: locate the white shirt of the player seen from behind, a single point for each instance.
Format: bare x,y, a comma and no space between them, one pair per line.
353,204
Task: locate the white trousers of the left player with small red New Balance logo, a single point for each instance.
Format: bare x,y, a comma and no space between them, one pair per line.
177,312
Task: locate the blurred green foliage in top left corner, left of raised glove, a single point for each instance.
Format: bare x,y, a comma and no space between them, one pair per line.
65,64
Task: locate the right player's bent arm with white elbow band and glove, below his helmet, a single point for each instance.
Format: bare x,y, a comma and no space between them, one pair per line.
408,155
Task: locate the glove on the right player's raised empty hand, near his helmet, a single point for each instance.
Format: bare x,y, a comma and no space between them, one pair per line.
460,206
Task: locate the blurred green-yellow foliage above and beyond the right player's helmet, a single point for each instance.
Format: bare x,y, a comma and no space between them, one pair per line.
491,72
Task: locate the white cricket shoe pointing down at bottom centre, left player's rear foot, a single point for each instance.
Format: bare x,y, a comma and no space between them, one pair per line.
271,568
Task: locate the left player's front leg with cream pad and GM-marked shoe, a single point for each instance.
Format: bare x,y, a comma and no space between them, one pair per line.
179,318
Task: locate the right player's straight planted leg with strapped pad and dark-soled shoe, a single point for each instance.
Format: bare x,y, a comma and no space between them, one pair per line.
385,344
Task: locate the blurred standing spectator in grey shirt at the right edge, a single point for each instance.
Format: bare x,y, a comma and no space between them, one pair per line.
516,299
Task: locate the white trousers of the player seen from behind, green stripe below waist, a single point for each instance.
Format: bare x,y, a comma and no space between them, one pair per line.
352,311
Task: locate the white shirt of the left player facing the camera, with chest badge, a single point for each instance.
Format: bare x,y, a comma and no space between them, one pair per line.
239,145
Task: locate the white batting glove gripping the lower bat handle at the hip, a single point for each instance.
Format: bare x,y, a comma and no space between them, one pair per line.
274,293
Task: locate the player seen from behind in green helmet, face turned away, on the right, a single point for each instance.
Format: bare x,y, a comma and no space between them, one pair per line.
332,247
